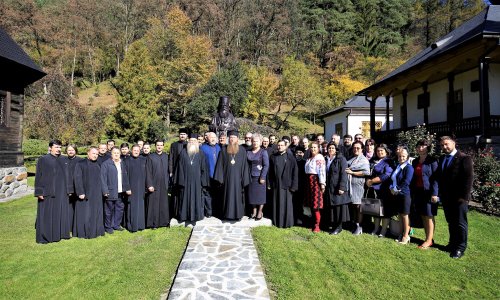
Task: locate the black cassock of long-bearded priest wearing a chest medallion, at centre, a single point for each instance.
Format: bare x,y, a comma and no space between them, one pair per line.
234,177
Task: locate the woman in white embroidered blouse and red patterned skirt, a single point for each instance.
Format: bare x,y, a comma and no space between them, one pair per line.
316,181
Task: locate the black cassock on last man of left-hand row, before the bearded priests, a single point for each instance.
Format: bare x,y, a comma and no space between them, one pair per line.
157,176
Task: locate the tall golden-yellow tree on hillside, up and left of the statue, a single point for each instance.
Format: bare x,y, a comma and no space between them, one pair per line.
183,62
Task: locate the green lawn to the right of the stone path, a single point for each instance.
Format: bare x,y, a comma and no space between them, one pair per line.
303,265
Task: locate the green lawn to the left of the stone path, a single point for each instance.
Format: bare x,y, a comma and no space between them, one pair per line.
118,266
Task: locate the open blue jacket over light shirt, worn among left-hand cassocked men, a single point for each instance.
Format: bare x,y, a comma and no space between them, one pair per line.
109,179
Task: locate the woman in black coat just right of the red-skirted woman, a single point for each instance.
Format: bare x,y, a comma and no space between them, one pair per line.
336,193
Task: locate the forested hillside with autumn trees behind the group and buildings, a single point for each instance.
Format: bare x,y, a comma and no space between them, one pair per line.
167,62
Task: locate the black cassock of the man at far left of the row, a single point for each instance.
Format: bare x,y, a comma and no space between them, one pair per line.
52,219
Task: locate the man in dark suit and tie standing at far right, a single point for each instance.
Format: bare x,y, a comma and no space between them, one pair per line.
455,176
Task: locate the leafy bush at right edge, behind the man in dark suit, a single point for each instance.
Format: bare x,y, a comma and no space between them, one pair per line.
486,187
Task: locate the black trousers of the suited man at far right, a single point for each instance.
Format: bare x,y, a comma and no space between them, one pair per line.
456,216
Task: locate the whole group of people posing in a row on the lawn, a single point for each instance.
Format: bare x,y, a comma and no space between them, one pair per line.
209,175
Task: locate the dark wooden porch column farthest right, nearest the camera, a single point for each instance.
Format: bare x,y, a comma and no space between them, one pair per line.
484,99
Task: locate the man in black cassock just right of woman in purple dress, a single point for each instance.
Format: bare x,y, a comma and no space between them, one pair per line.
283,182
